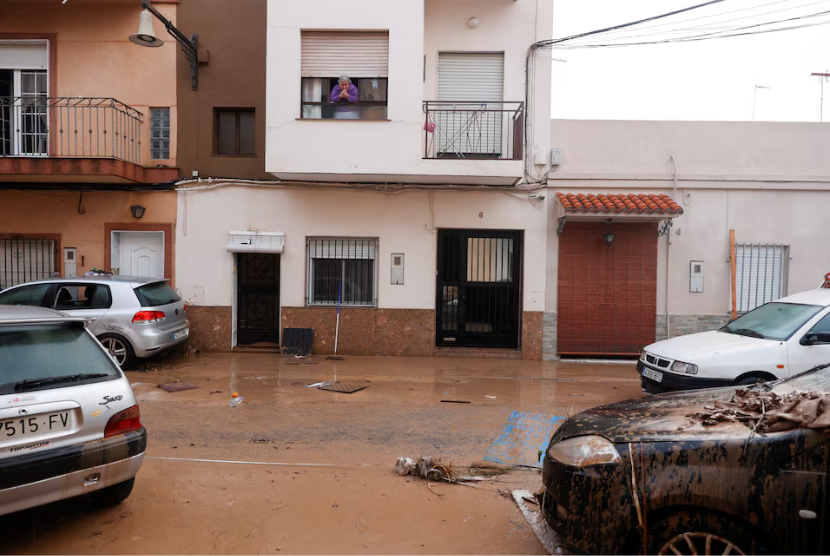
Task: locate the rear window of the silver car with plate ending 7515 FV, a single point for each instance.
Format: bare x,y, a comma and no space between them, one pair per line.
42,352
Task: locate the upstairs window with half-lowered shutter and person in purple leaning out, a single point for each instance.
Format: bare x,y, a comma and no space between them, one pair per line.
328,58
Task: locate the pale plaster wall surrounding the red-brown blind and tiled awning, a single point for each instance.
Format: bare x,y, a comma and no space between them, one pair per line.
769,182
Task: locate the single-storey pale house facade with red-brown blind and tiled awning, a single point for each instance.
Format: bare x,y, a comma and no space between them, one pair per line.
768,182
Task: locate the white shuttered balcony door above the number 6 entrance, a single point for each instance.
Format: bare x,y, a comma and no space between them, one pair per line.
470,124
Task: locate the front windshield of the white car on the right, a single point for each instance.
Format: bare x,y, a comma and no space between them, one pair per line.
774,321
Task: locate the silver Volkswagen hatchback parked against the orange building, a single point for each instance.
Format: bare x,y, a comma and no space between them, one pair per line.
132,317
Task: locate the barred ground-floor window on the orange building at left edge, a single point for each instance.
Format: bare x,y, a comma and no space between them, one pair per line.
24,259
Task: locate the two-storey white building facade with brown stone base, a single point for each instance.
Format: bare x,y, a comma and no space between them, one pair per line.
415,201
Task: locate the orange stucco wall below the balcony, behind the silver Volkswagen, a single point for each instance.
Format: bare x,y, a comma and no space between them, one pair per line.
57,212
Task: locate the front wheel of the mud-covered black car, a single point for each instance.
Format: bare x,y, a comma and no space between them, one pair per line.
691,533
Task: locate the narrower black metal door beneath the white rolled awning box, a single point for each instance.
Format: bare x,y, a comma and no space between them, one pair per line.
258,298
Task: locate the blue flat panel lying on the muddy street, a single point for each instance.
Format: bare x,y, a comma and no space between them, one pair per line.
522,438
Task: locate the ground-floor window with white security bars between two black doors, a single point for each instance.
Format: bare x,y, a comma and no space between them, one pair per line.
342,269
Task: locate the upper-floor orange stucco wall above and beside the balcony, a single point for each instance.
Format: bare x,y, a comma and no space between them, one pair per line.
96,59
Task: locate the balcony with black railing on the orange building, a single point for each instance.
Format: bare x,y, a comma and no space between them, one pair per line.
73,139
